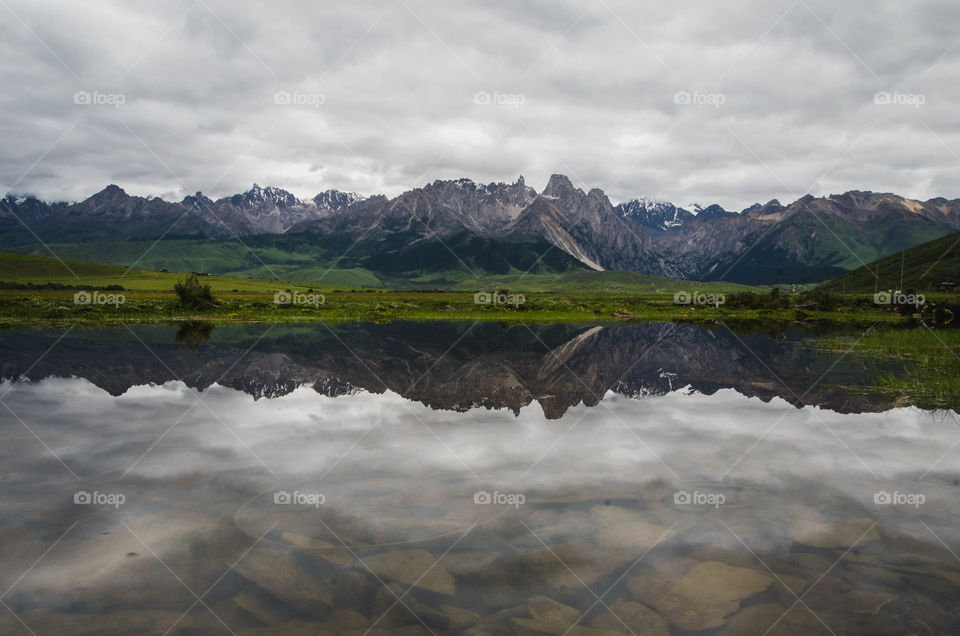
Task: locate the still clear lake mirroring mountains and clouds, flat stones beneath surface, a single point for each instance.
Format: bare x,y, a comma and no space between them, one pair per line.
457,478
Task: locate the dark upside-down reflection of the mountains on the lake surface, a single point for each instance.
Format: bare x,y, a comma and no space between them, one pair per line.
455,366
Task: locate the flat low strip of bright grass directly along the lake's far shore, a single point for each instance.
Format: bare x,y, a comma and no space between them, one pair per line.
57,308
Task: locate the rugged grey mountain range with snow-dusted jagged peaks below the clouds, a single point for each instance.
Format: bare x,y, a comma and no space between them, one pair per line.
499,227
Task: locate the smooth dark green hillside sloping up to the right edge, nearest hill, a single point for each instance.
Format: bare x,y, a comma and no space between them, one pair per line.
924,267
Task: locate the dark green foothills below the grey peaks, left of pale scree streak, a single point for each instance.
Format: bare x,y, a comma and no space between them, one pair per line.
332,259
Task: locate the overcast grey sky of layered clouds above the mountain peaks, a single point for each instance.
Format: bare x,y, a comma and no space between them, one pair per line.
731,102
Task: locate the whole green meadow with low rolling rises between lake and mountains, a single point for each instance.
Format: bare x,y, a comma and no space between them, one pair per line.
578,296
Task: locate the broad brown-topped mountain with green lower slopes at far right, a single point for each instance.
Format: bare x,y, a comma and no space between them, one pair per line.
810,240
